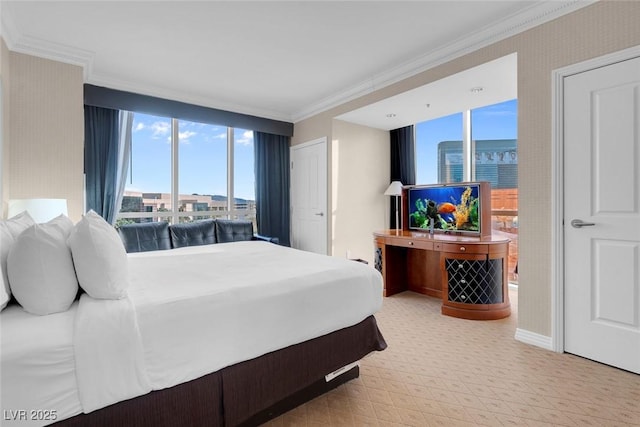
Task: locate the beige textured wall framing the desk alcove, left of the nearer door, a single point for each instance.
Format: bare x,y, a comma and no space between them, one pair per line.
593,31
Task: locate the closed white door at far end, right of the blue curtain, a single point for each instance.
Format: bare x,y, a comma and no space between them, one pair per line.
309,196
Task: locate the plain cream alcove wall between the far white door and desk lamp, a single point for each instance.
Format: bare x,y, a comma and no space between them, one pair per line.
359,175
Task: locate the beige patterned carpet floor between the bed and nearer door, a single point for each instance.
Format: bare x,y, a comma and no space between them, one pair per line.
443,371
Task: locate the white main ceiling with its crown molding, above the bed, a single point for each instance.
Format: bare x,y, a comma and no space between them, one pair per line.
283,60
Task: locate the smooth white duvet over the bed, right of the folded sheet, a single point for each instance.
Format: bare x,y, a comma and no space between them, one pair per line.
240,300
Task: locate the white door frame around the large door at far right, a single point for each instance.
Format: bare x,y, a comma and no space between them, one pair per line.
557,182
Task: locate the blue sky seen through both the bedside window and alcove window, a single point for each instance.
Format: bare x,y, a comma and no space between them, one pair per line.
203,150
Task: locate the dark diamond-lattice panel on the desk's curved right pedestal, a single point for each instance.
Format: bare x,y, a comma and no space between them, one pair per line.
473,281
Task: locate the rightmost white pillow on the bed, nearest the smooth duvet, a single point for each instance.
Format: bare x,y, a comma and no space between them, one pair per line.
99,257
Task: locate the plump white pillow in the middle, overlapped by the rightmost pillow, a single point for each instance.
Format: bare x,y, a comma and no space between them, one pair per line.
40,268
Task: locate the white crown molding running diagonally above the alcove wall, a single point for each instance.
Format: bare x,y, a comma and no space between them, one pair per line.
539,13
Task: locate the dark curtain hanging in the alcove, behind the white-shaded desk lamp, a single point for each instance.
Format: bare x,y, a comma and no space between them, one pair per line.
403,160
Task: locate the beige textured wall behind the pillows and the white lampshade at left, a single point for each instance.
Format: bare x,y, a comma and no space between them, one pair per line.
45,145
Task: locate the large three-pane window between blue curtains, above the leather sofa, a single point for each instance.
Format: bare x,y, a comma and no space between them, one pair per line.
183,171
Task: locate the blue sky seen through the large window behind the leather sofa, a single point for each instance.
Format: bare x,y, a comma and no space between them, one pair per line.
202,158
